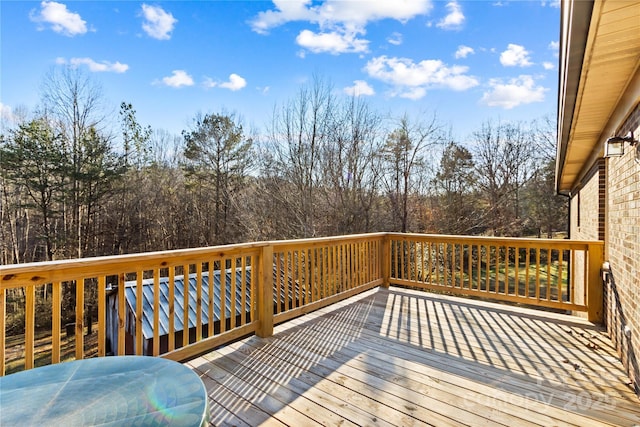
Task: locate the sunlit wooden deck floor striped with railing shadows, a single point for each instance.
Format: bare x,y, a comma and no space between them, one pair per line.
403,357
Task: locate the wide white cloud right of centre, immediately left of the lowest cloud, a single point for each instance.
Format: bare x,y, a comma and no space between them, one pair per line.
411,80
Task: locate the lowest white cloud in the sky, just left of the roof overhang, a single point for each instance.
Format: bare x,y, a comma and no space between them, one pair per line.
515,92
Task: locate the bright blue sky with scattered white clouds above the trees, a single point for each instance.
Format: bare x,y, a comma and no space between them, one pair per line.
465,61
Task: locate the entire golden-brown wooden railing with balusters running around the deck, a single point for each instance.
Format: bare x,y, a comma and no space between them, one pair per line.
293,277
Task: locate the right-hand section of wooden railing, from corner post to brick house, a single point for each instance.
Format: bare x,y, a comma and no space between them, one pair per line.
560,274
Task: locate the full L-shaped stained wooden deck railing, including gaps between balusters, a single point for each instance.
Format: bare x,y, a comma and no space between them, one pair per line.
138,302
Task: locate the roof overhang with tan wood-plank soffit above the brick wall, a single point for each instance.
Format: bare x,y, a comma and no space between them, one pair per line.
599,81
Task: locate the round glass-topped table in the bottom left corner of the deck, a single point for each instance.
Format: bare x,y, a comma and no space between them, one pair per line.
123,390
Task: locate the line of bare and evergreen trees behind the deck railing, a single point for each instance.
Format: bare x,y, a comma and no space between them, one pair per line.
72,184
